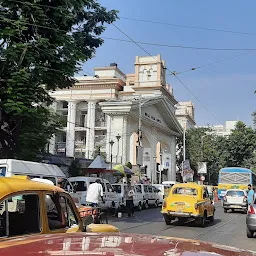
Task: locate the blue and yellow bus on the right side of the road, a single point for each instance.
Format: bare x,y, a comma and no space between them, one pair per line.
234,178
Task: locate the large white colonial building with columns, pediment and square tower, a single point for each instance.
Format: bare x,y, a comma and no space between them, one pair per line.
109,106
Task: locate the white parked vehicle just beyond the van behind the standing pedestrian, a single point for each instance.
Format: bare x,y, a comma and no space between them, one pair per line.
150,196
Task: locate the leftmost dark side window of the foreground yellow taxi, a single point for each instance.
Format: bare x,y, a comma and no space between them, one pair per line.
20,215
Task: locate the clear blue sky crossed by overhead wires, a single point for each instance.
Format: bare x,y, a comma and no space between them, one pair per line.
225,88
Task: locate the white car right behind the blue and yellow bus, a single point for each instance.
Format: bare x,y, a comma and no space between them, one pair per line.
235,199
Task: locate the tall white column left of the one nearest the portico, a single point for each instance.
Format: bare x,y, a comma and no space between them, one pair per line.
70,136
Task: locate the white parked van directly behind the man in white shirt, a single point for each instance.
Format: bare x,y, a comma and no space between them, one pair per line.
81,184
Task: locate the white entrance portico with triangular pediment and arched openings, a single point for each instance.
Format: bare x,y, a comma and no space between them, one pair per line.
158,125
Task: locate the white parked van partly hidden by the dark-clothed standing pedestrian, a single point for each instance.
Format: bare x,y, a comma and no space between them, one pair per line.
137,199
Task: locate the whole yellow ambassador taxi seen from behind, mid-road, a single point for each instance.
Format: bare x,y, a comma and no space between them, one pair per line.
188,200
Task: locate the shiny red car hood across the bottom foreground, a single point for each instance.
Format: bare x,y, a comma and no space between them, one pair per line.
114,244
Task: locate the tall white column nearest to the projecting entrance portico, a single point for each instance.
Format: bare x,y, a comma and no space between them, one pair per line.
90,131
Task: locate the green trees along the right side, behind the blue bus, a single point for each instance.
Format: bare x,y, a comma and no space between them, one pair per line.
238,149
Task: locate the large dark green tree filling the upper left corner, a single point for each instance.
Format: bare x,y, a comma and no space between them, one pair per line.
42,45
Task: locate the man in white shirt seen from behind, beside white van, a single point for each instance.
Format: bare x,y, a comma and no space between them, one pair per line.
94,192
